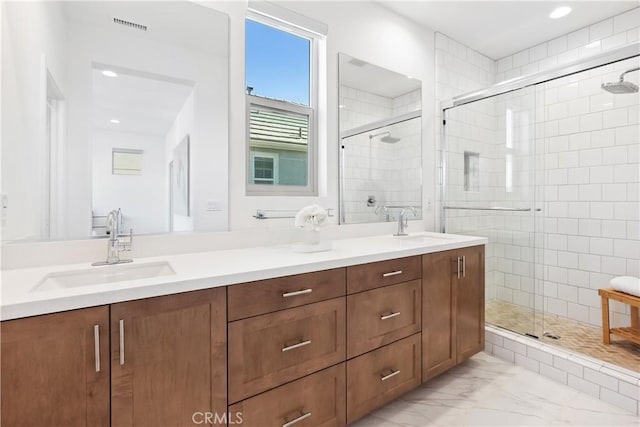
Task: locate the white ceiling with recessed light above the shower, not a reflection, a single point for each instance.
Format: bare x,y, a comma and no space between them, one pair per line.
502,28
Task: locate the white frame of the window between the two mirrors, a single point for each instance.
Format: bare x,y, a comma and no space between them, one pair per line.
311,111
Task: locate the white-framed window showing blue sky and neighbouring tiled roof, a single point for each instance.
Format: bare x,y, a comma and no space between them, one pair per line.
281,108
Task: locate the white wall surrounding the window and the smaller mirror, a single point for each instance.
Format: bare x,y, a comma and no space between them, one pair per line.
364,30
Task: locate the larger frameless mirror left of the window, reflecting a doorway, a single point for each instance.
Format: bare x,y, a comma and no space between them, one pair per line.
112,105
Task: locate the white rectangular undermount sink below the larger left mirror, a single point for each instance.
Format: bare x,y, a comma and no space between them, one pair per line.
103,274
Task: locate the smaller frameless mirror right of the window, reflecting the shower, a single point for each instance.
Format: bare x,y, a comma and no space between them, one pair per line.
381,143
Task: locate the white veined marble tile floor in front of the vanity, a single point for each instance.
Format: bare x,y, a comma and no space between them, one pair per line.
485,391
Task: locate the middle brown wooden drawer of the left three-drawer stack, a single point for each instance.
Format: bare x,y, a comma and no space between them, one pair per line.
269,350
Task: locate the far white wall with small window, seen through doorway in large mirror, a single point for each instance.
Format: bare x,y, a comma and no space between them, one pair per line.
143,198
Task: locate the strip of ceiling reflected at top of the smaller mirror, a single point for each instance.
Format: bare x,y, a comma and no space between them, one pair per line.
373,79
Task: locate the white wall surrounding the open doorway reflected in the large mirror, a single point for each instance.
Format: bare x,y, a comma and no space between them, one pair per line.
209,135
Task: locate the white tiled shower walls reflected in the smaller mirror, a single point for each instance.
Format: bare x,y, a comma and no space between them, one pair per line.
389,172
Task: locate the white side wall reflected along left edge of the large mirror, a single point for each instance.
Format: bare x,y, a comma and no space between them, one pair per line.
34,40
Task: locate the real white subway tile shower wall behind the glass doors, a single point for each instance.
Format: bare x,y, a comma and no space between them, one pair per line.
587,170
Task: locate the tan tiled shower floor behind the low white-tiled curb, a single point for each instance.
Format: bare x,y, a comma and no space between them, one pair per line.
574,336
